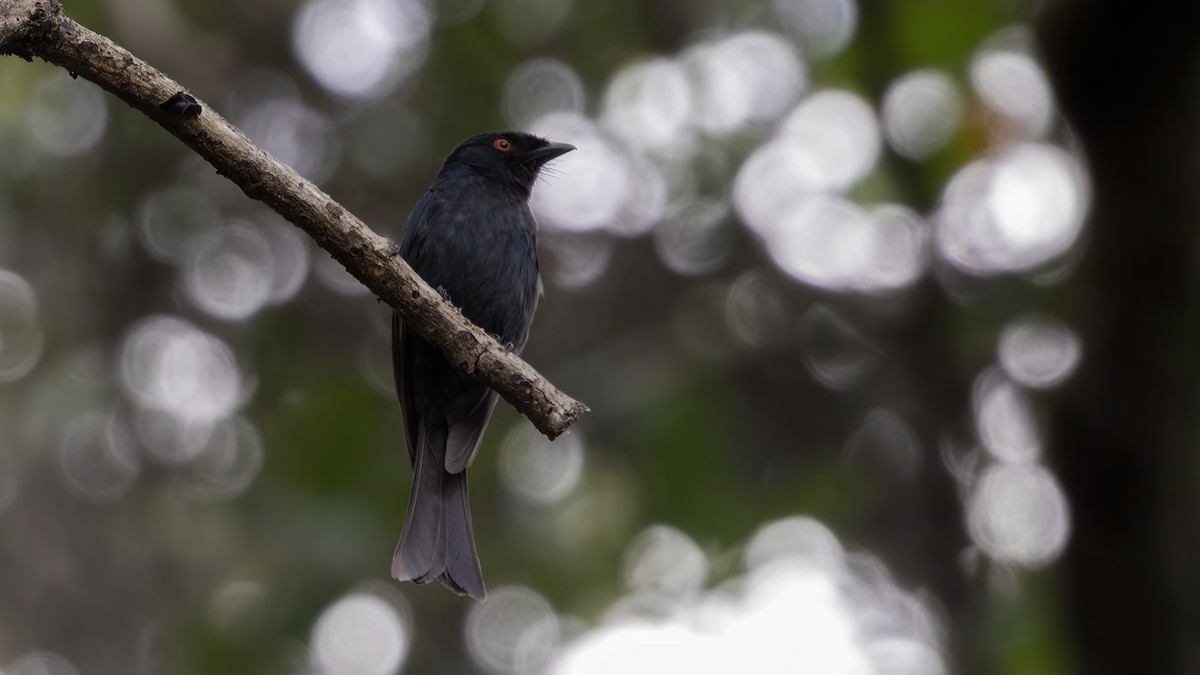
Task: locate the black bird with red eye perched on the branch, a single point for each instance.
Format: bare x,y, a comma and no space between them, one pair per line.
473,238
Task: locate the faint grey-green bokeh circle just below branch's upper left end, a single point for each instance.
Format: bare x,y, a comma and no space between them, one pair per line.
68,118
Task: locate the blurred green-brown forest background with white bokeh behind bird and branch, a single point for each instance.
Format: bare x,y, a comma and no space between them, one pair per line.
886,313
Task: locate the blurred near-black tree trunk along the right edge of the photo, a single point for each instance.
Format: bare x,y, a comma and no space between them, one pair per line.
1124,432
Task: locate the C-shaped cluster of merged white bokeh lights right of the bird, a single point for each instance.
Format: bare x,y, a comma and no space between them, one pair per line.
783,193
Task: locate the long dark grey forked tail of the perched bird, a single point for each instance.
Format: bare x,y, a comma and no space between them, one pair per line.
439,541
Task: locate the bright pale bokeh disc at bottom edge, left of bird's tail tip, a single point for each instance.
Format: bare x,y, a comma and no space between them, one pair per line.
361,635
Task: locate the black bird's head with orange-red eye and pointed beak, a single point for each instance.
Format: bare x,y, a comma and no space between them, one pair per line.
513,159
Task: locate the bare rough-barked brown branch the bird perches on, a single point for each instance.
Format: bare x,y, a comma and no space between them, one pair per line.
40,28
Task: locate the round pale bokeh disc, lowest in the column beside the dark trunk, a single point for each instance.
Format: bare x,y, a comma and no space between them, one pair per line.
1019,515
